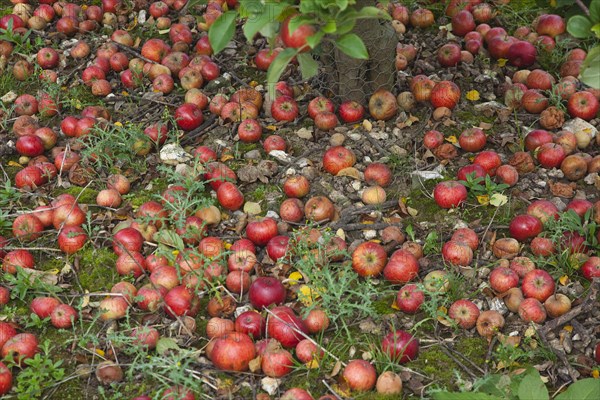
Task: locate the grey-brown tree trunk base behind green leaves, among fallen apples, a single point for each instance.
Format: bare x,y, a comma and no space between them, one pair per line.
351,79
